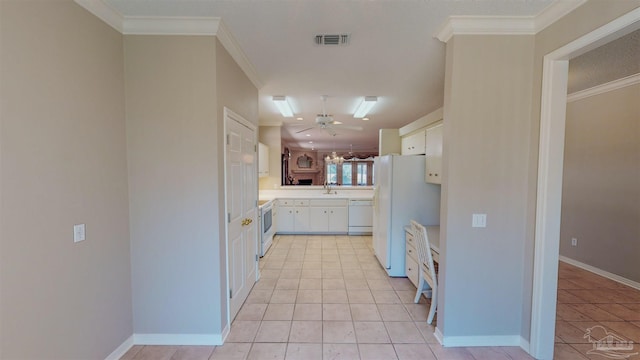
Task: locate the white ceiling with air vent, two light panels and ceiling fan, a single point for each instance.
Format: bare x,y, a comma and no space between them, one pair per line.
392,54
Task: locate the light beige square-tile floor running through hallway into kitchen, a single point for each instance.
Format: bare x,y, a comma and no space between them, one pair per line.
327,297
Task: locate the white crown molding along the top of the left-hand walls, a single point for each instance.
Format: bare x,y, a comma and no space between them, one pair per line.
174,25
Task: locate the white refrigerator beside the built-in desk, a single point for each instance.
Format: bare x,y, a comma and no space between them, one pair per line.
400,194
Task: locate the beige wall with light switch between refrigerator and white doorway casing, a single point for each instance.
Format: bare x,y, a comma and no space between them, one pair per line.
490,157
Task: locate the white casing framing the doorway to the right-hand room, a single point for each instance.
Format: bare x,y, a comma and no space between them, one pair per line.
550,166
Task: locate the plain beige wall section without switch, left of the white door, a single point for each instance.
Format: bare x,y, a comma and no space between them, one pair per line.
172,148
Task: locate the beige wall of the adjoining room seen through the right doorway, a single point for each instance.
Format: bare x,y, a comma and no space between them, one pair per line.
601,184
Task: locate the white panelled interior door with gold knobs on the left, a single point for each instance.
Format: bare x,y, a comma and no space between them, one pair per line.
242,213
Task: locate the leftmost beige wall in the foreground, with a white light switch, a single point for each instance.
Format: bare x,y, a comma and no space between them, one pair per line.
63,162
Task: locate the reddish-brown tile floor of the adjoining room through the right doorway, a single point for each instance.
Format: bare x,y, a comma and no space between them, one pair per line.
586,300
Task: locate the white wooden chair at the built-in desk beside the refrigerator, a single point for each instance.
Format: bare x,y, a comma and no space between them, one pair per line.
427,283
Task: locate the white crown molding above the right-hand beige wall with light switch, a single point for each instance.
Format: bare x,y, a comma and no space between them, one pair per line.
506,25
